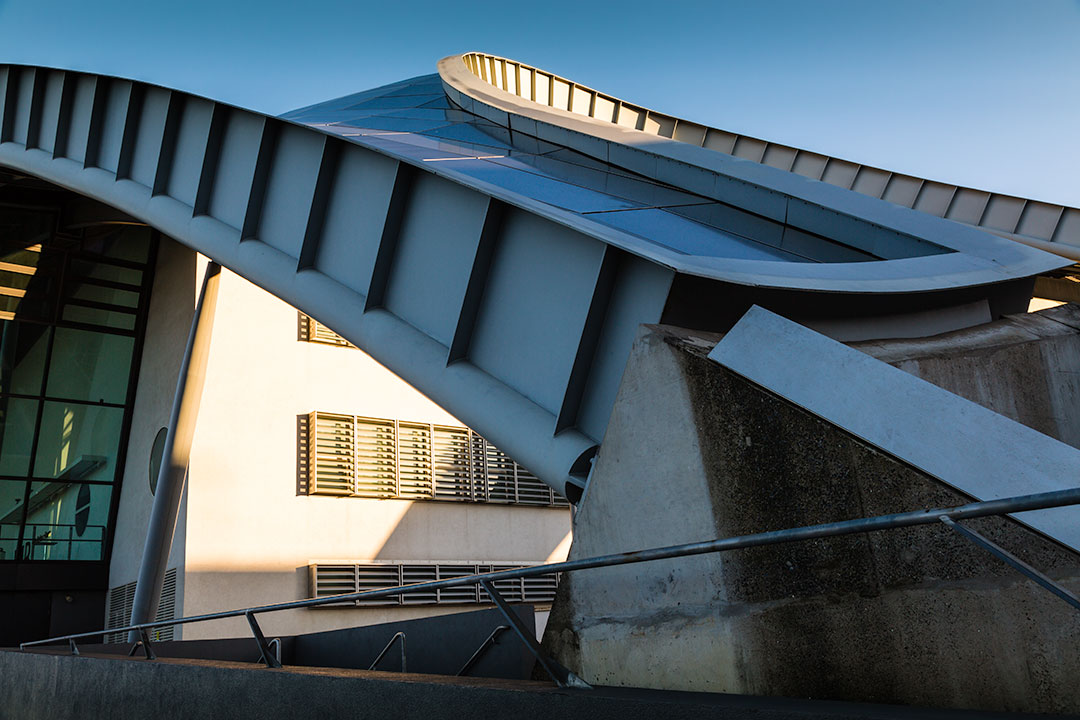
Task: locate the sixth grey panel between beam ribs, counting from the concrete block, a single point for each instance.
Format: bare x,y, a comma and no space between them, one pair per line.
236,168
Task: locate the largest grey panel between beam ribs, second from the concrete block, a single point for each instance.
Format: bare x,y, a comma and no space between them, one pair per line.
535,306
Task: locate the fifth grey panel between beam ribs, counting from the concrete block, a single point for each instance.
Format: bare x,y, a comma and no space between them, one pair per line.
290,189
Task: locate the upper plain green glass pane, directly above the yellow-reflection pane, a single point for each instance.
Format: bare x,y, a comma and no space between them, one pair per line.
90,366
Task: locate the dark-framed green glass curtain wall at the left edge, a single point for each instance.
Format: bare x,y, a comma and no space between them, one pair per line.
72,308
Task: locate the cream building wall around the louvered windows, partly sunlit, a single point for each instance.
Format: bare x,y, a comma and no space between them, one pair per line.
248,532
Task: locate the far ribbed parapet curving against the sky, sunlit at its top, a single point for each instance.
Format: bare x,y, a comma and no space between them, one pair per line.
505,84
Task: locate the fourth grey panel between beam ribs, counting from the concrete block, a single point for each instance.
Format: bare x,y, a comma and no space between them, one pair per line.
356,214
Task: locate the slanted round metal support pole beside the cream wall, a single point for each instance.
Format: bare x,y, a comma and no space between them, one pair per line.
174,460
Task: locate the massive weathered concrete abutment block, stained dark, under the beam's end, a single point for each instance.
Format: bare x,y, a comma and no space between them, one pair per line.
914,617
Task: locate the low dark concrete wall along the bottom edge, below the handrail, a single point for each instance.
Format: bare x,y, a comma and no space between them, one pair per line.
46,687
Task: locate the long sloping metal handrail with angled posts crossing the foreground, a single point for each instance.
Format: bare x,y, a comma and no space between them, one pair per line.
969,511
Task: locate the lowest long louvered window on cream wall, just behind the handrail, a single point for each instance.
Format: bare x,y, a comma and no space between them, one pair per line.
331,580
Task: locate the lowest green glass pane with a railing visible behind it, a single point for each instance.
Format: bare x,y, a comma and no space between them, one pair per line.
66,522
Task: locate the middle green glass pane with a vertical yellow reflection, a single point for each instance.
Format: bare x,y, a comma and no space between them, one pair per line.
78,442
